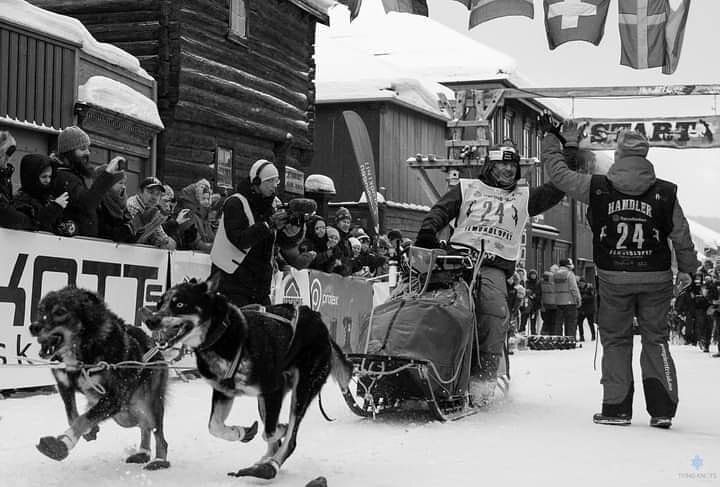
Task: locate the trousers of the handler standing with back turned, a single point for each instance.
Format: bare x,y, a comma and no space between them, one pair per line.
650,304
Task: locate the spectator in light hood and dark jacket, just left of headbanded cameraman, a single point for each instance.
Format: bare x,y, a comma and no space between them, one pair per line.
197,197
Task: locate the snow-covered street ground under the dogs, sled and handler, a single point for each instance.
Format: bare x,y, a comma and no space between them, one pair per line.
542,435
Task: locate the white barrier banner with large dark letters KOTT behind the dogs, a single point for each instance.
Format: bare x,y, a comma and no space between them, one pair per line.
33,264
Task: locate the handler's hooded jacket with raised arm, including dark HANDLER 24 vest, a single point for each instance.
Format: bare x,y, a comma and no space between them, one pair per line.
633,214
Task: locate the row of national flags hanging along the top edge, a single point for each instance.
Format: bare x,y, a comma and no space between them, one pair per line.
651,31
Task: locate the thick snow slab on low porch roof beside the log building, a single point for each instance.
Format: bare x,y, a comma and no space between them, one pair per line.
113,95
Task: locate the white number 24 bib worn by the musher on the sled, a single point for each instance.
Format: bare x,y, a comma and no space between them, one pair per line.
493,215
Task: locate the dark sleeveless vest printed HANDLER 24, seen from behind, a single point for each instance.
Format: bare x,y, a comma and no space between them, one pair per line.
630,233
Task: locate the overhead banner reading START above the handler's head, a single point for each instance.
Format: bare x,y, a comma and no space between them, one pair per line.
668,132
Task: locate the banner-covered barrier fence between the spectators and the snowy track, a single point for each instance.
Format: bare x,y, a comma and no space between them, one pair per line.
128,277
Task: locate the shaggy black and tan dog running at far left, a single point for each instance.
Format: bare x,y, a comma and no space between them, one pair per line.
75,327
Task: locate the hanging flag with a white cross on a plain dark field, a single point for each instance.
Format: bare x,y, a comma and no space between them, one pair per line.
575,20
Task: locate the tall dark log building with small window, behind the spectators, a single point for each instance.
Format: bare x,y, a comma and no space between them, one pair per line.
235,77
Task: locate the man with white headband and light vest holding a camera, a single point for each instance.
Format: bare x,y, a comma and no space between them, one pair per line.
242,251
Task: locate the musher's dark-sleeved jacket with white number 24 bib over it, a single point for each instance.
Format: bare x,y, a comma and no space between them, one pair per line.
516,205
